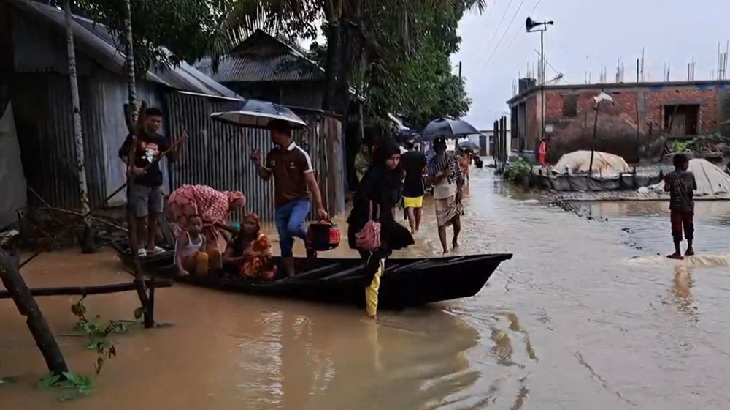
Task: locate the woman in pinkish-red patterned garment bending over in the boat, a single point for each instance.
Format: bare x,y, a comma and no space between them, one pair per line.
212,206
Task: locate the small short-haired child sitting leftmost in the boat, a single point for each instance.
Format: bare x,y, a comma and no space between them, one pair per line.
189,252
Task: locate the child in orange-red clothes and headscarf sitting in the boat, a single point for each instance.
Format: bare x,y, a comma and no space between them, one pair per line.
250,251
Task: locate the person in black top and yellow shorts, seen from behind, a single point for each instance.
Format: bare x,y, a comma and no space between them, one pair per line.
413,163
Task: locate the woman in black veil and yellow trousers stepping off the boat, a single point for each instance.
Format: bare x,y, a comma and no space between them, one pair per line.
375,198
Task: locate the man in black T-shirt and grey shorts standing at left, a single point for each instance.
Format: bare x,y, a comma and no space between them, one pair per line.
145,199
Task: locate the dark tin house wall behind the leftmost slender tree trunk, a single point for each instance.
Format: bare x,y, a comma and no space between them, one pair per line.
43,117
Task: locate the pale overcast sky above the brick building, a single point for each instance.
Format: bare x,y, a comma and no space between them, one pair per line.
586,36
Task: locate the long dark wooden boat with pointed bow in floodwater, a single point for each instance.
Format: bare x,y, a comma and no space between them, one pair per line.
406,282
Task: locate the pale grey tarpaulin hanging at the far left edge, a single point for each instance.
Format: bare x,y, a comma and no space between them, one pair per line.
12,180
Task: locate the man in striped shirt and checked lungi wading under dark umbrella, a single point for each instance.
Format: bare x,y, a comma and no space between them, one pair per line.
444,173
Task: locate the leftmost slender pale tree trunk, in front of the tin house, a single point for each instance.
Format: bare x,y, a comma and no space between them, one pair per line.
76,116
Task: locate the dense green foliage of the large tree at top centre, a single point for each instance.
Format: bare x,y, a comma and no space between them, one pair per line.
395,54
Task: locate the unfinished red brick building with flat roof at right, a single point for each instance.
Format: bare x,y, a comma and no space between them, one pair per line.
681,108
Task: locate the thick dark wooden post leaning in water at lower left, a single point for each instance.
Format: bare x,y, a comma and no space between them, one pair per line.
35,320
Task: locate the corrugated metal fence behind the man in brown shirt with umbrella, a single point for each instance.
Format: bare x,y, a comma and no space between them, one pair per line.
218,155
